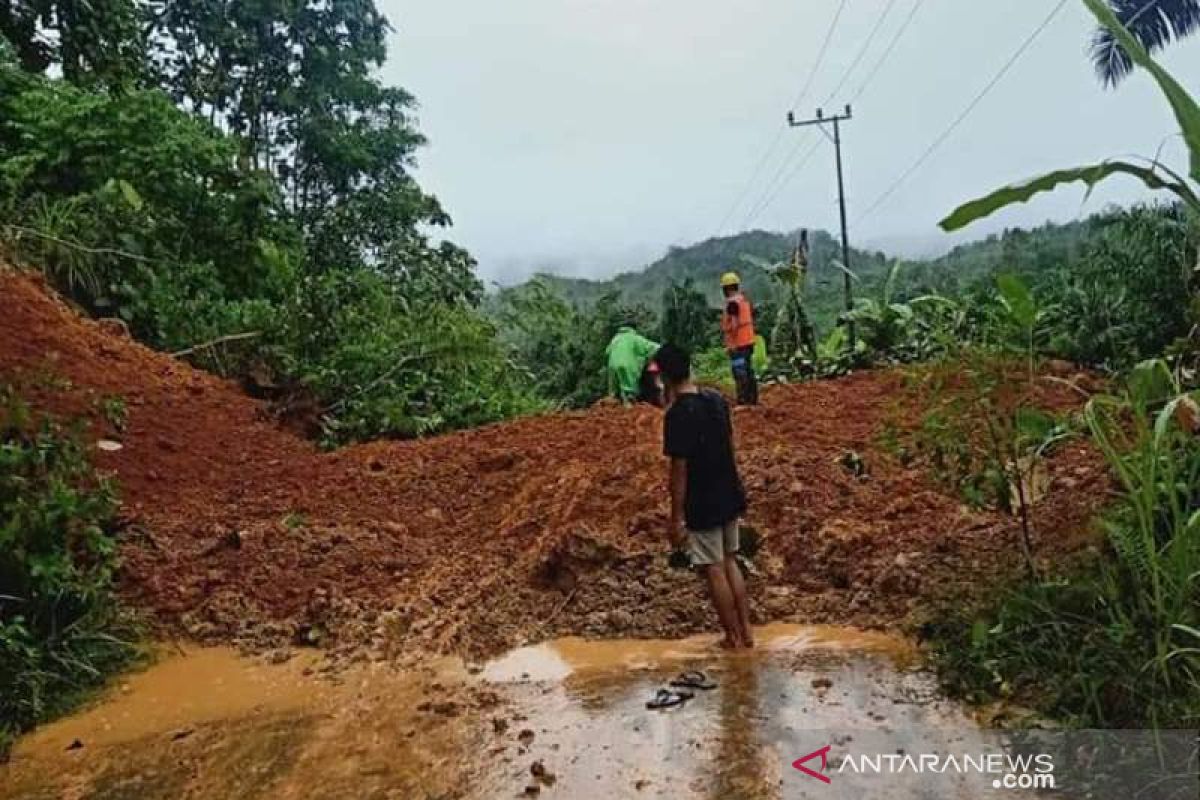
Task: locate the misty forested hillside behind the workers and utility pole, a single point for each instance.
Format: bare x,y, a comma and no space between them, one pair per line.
1079,270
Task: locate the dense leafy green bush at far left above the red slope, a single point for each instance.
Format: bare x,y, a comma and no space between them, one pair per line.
111,225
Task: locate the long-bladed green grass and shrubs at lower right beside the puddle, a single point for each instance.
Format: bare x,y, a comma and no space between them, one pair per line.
1117,646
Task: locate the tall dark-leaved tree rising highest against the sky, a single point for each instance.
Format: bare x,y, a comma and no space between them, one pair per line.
295,80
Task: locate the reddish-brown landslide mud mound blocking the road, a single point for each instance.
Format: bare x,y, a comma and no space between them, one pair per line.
481,540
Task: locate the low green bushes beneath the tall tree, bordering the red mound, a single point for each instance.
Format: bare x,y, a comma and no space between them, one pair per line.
385,368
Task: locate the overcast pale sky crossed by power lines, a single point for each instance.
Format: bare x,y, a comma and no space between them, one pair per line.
586,136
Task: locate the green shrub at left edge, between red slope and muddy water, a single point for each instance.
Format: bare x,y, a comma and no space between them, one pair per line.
62,630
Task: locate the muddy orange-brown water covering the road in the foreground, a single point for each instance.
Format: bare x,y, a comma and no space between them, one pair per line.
208,724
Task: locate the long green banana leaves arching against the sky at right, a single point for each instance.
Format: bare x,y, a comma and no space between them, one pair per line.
1153,172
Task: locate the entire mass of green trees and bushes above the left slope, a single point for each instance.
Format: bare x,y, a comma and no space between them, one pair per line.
249,177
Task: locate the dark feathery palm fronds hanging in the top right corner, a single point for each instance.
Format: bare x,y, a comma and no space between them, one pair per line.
1154,23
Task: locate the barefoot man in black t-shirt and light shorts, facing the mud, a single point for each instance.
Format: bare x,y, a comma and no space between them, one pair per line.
707,497
